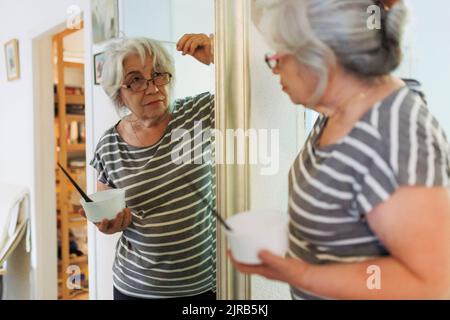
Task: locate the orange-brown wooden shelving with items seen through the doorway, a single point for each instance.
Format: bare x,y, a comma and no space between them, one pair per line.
70,148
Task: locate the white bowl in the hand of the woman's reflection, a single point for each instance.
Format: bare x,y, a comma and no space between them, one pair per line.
107,204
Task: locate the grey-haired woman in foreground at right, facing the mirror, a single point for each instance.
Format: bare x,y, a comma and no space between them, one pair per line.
369,206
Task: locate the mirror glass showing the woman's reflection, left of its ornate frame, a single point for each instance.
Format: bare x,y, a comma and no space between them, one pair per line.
159,152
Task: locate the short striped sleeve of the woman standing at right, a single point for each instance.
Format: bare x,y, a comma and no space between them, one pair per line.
414,152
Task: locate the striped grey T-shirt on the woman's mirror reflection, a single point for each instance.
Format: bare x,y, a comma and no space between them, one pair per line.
169,249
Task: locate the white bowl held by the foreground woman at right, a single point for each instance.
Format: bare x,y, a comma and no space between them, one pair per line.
253,231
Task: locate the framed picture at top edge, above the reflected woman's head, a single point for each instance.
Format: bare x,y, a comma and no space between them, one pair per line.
105,20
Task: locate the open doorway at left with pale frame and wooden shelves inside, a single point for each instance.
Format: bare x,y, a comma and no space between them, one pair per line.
53,277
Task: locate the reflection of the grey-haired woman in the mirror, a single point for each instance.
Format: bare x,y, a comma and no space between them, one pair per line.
167,248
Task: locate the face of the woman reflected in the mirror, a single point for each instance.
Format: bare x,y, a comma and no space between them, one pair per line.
151,104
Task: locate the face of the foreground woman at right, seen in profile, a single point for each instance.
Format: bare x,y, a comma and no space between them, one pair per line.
296,79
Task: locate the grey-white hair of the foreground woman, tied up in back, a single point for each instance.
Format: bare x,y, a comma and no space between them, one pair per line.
321,33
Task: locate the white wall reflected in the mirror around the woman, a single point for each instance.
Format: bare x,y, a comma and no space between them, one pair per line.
165,21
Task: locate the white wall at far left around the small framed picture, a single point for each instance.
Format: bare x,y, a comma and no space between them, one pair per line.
26,20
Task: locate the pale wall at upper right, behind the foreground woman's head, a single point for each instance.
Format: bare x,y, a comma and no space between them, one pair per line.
428,56
